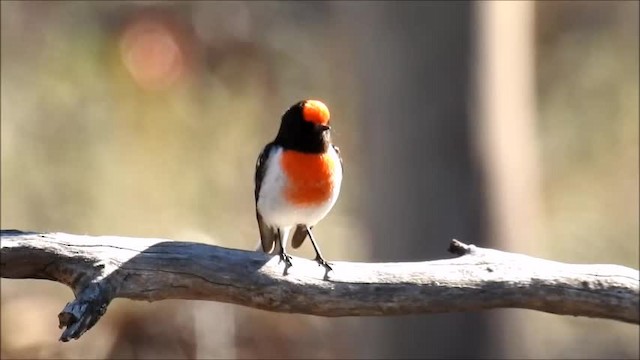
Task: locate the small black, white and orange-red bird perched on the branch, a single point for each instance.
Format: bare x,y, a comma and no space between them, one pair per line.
297,179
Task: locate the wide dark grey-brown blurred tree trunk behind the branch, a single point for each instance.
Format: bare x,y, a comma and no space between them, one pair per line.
414,71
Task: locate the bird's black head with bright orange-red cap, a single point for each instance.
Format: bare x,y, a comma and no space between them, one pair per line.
305,127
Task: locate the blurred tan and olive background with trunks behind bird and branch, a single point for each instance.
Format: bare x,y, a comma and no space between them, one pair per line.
505,124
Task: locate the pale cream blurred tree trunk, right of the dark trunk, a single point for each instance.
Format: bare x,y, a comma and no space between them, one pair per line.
506,141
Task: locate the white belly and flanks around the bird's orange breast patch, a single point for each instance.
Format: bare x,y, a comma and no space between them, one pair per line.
275,209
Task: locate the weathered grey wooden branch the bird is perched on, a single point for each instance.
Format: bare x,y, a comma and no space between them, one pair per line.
101,268
